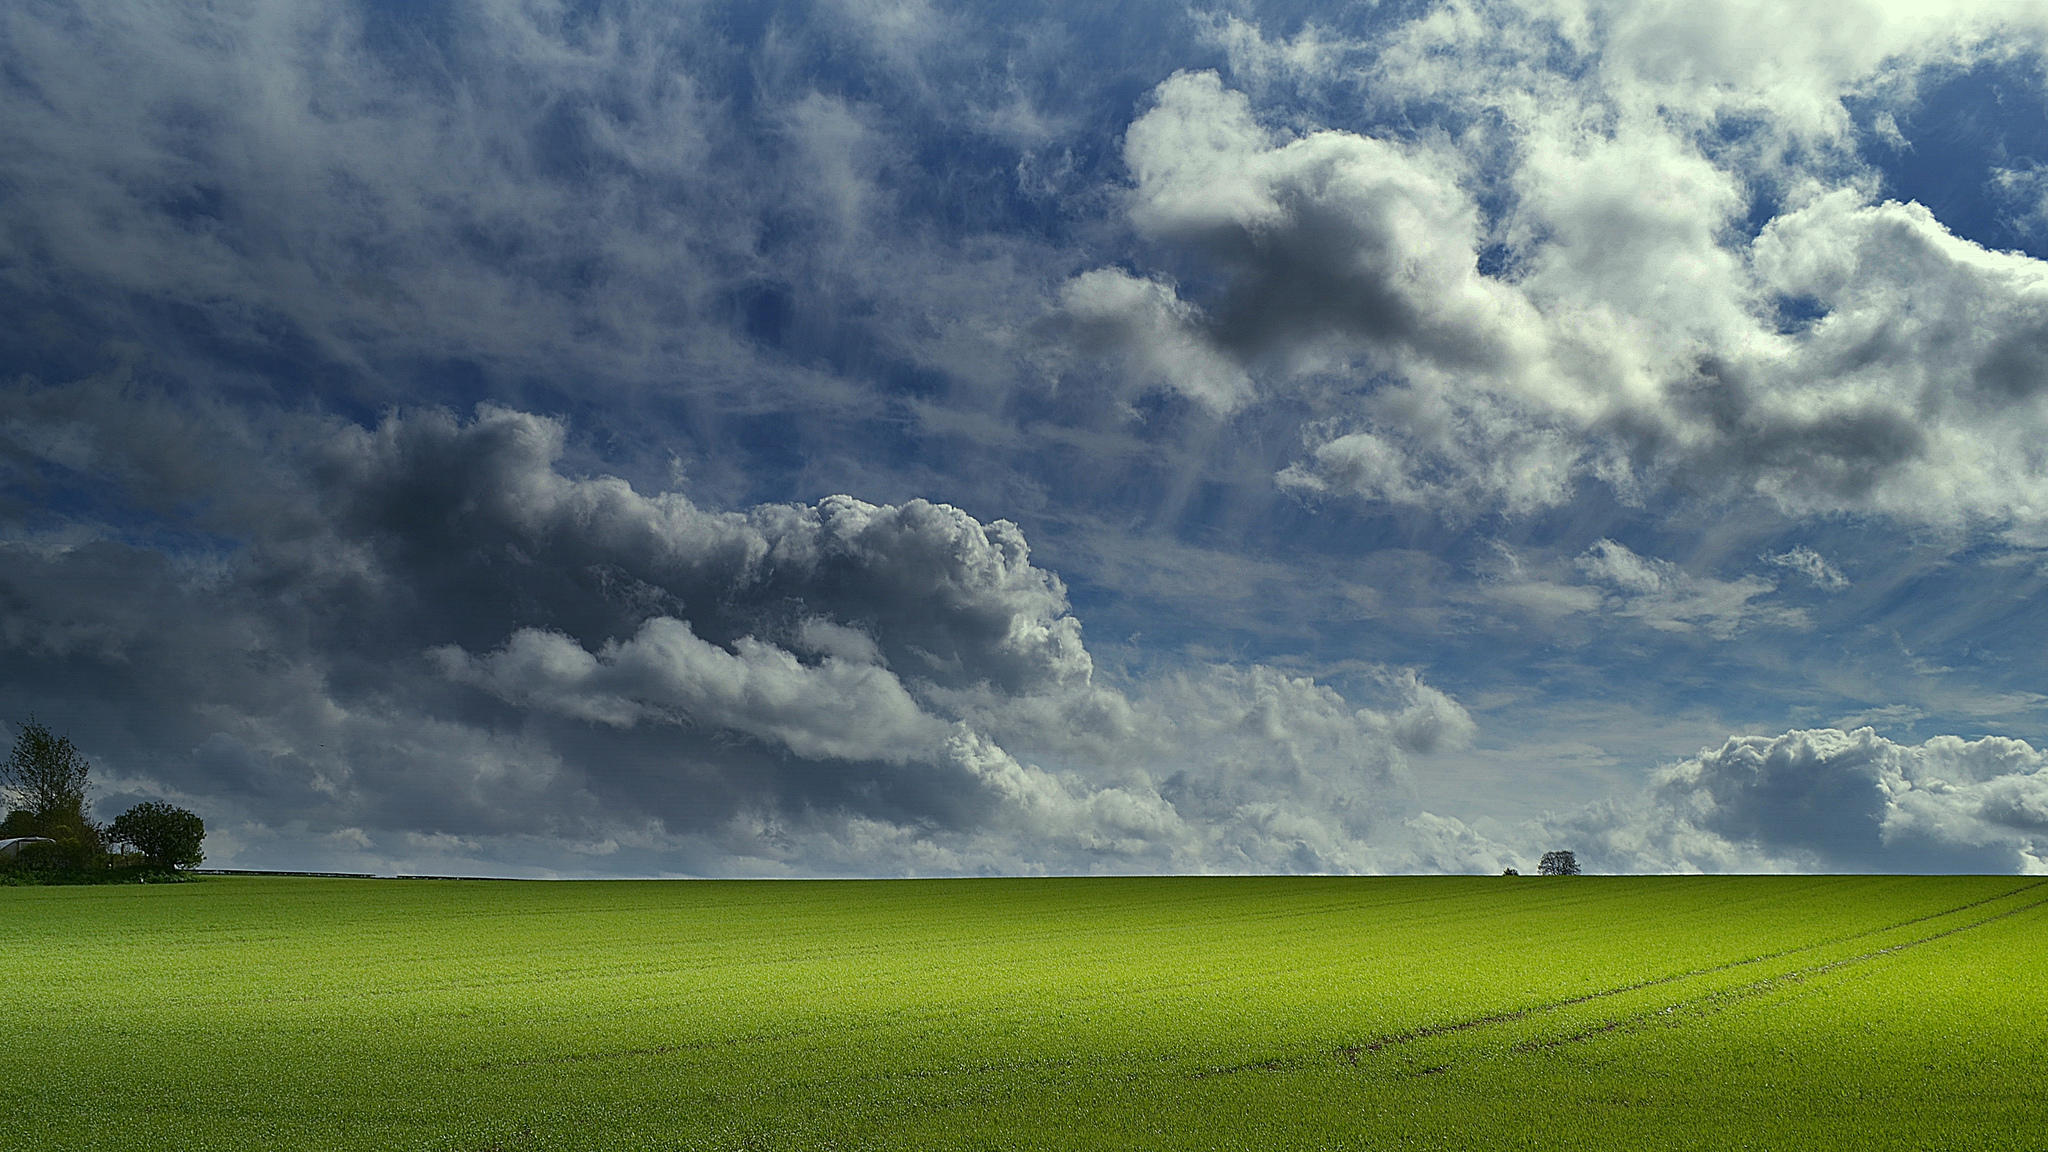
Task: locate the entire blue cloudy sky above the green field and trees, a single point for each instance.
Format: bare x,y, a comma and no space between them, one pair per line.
863,438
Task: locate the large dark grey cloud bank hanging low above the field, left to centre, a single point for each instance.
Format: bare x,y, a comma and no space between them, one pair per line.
427,647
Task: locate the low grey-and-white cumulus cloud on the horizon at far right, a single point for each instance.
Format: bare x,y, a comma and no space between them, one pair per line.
1830,800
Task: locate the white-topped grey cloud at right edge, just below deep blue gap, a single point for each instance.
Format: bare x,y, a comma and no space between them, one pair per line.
1924,386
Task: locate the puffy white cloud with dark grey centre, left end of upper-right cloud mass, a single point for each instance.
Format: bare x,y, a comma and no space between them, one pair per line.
1332,237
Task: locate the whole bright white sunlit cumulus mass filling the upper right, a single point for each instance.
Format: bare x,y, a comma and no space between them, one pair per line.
1609,317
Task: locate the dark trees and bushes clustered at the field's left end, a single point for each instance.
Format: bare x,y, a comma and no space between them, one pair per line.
50,837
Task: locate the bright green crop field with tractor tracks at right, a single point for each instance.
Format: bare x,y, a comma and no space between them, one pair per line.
1029,1014
